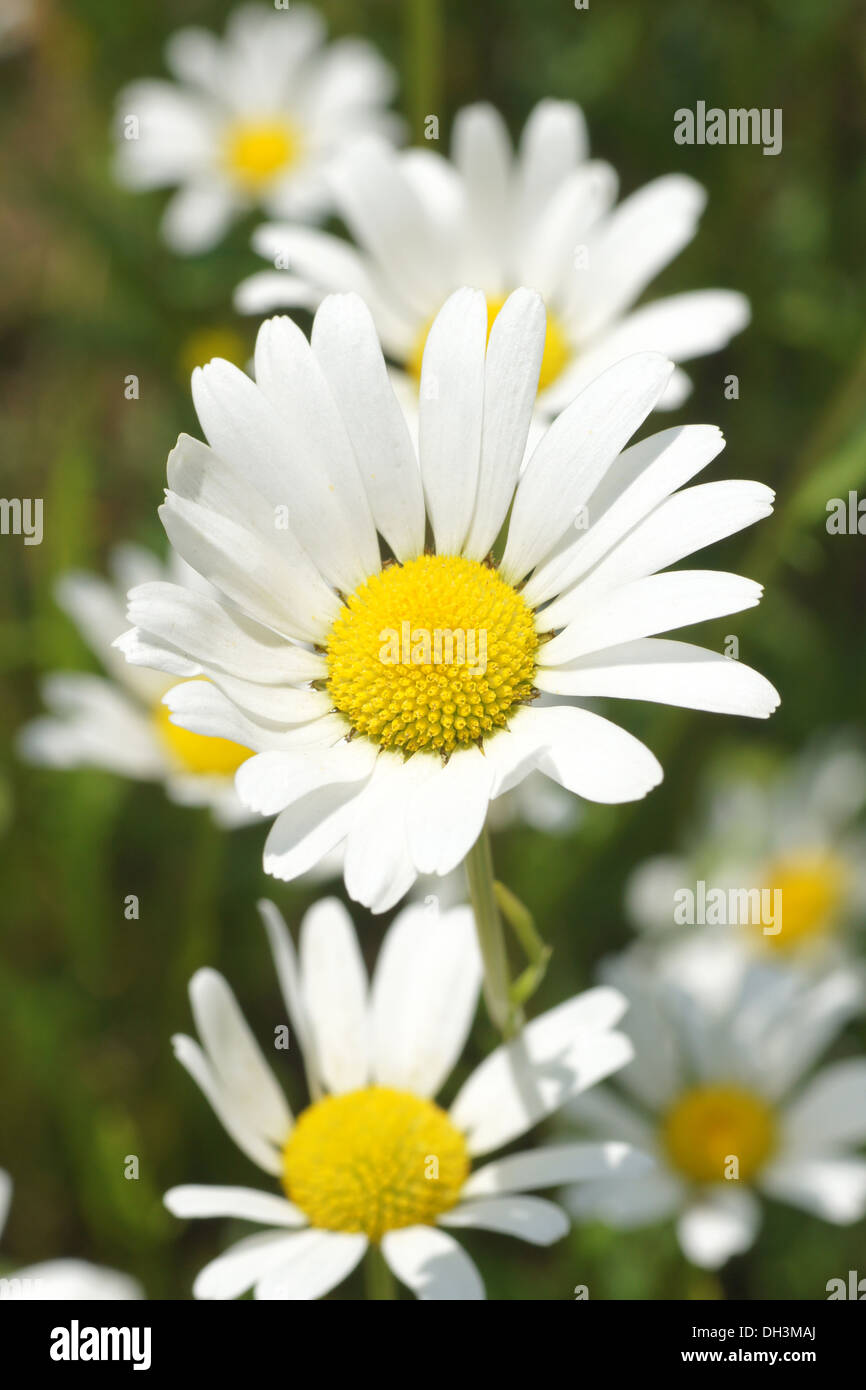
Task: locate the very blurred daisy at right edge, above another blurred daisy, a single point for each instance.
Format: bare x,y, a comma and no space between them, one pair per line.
790,837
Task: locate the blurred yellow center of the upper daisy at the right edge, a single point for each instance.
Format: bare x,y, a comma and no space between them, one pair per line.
812,888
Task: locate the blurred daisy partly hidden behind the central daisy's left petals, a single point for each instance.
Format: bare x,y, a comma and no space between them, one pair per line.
120,722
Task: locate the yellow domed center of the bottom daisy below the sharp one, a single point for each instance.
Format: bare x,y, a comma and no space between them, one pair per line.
375,1161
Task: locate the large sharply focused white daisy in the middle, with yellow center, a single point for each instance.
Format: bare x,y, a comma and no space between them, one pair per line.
393,676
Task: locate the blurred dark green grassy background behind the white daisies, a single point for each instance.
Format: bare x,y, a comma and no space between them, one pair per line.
88,294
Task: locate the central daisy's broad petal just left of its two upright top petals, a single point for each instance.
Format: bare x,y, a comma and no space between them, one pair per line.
347,347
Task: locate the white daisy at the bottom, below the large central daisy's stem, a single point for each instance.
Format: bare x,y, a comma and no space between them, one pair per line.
375,1161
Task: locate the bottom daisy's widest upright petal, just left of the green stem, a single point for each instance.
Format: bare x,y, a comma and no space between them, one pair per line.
425,997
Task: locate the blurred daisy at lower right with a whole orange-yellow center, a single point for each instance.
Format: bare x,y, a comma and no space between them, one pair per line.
719,1093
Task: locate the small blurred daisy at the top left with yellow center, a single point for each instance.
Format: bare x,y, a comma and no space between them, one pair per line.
250,122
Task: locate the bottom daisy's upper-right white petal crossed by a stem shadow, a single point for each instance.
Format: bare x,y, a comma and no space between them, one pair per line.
555,1057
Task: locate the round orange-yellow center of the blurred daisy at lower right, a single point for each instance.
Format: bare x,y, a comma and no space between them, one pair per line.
711,1125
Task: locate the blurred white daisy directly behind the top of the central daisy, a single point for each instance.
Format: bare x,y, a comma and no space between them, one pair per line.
425,226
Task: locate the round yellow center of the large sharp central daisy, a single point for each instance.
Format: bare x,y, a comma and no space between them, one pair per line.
432,655
